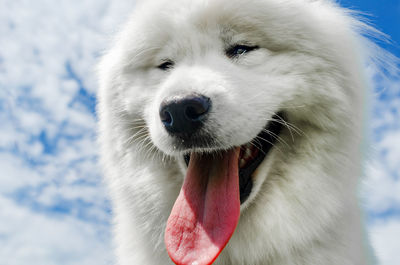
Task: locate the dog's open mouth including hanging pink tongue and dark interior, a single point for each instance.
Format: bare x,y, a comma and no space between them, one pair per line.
207,209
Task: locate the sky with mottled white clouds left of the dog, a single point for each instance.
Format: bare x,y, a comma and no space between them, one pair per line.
47,142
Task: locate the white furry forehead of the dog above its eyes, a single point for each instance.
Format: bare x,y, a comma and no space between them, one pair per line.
161,29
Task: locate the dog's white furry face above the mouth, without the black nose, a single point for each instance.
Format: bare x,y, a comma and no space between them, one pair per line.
249,63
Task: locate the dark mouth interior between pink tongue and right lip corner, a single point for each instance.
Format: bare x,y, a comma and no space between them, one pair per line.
253,153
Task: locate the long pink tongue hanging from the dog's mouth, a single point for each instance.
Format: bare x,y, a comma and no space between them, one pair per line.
206,211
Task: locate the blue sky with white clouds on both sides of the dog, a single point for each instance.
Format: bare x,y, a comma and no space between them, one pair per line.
54,207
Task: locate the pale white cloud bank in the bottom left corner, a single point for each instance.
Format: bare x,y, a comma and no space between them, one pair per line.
28,237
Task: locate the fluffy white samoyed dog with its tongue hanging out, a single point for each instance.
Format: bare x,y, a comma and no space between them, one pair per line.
231,133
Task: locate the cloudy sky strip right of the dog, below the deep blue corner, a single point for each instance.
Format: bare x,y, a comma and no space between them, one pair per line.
381,190
